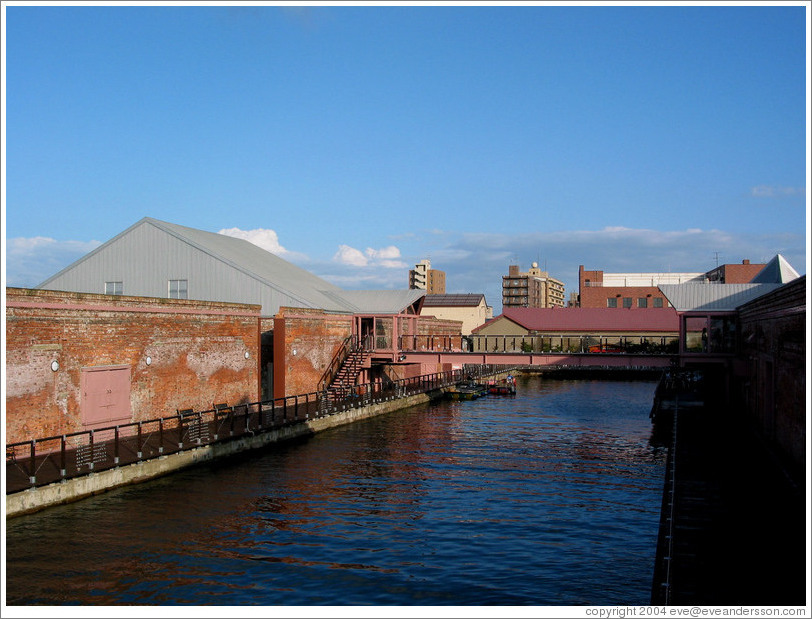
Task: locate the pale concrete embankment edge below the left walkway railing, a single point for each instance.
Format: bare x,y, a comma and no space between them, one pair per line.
35,499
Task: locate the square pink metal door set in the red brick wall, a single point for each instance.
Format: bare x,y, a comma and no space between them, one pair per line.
105,396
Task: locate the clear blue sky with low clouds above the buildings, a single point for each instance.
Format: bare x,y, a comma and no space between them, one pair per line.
357,140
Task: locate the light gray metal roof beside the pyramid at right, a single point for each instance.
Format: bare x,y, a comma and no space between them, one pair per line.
713,297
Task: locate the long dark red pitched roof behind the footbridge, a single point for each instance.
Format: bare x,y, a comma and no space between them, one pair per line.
581,319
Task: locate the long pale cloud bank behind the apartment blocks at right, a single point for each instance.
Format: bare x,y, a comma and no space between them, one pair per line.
476,262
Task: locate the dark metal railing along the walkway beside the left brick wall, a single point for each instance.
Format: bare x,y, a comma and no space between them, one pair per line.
43,461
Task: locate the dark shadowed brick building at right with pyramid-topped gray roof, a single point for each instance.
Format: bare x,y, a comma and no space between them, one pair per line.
755,336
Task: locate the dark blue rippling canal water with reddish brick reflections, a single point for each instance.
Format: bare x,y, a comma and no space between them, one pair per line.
547,498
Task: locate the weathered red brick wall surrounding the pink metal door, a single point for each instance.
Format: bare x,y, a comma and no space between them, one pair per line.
197,351
